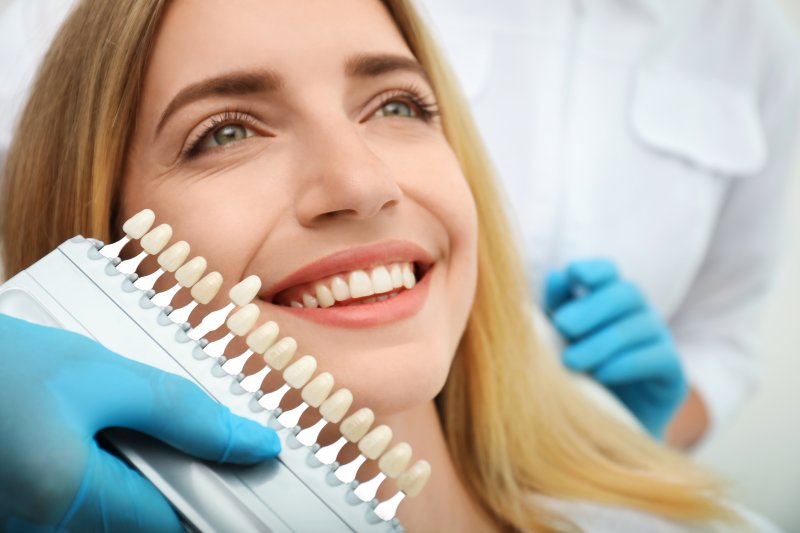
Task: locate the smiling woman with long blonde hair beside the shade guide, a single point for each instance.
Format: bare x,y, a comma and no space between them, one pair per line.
319,144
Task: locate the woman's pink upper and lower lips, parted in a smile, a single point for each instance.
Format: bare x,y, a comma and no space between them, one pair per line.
405,304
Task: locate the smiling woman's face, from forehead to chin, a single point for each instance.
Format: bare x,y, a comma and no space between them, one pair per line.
299,141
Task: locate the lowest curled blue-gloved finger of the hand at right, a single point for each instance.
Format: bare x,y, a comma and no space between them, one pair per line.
656,361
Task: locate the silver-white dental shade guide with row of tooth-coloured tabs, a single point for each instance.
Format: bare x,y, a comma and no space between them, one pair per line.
79,287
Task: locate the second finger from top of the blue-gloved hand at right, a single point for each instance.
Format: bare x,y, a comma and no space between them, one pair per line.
598,309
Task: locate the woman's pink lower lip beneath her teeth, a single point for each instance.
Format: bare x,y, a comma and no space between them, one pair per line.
405,304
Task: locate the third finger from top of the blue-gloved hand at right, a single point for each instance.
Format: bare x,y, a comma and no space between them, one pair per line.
624,334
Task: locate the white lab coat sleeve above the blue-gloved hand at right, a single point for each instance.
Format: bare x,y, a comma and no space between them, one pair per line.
716,325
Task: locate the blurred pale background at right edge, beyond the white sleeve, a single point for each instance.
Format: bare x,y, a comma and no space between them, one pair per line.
760,451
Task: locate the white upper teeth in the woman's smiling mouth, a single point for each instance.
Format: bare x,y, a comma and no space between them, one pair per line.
357,284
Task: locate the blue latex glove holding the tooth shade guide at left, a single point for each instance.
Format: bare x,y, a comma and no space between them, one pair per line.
57,390
